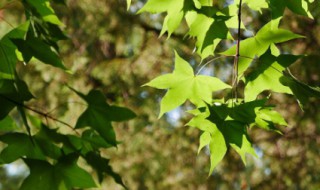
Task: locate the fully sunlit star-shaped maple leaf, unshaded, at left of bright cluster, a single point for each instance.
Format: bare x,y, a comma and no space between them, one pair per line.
183,85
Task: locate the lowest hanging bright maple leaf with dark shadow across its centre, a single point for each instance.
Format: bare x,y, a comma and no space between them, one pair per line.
226,125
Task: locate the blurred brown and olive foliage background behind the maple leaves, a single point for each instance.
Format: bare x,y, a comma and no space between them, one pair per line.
117,51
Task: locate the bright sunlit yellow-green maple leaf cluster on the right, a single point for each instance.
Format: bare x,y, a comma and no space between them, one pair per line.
258,63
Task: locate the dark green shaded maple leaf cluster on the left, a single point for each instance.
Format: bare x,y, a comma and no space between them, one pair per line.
52,154
